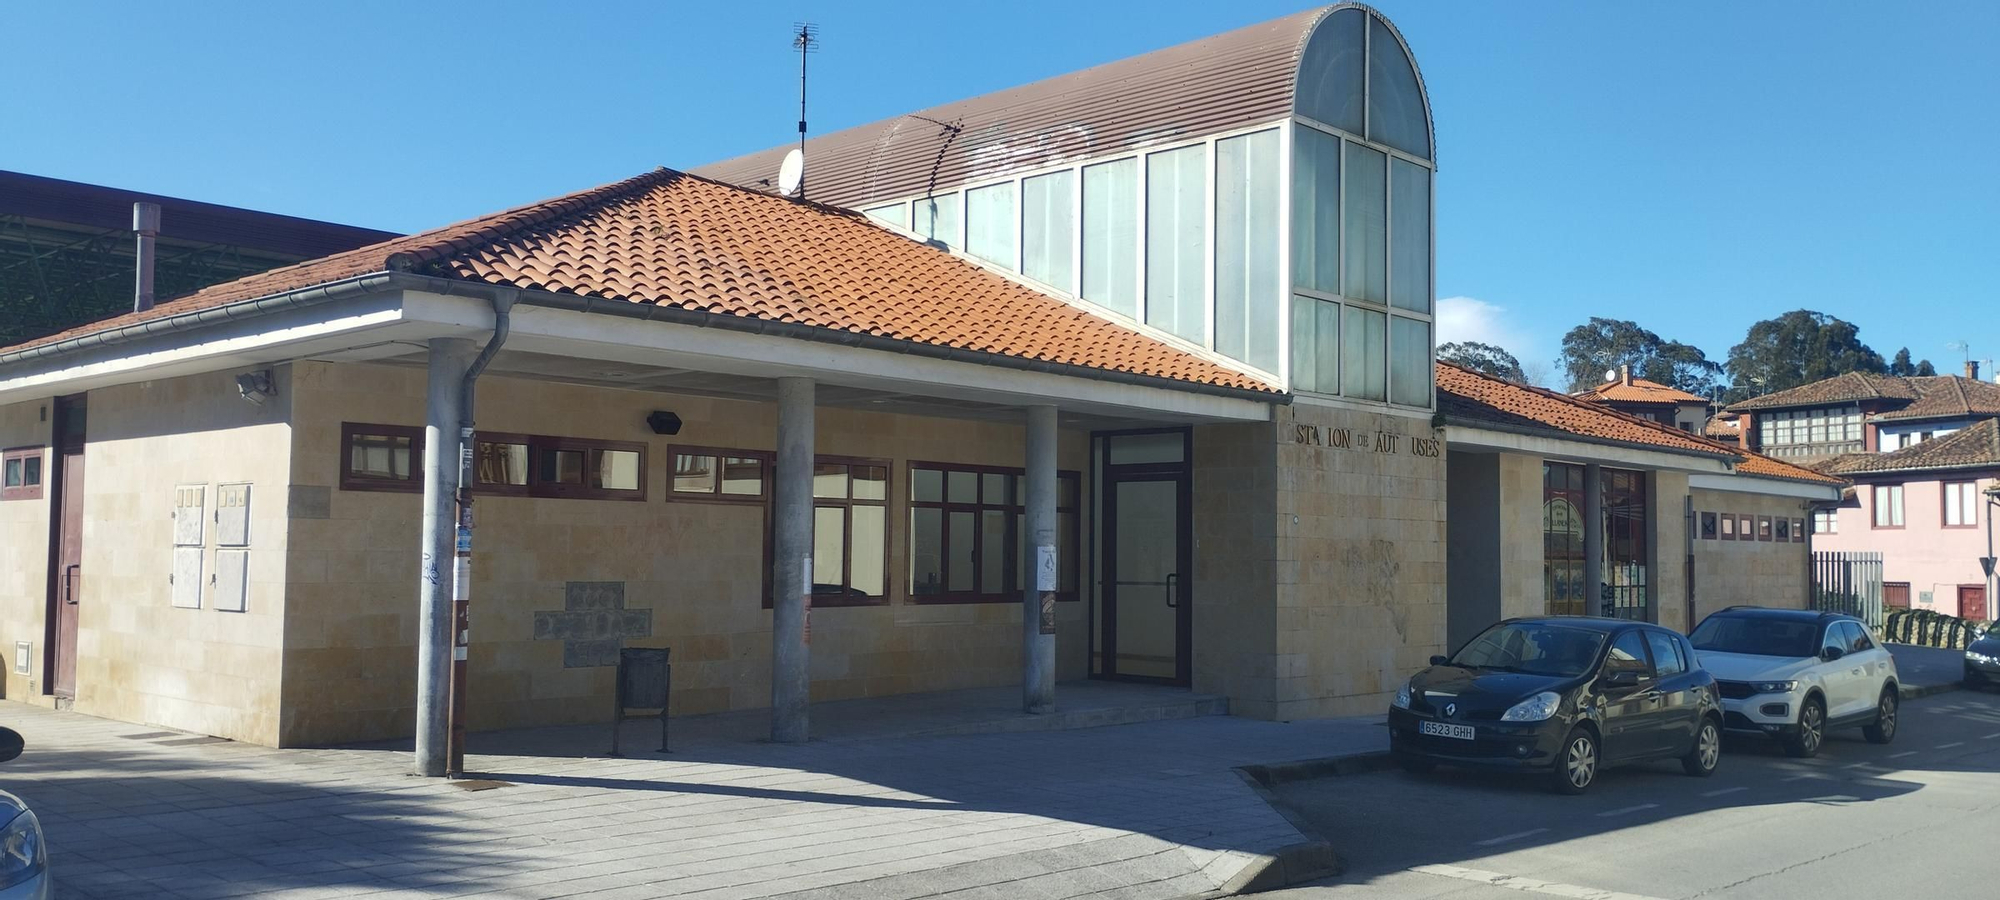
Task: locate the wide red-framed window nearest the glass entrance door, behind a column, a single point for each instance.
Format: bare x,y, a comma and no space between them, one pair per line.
969,533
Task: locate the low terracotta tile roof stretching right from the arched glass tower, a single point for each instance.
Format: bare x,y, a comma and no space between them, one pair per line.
1473,399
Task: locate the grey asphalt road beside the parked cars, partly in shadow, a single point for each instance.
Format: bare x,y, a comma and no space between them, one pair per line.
1915,819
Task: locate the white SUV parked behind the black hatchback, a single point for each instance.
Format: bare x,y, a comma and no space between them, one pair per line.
1793,675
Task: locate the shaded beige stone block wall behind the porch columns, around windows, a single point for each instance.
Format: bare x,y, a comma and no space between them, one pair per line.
691,575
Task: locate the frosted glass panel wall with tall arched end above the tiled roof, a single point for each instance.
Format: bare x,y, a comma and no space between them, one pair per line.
1189,239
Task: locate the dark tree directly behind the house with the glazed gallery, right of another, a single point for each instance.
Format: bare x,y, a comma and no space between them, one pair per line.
1801,347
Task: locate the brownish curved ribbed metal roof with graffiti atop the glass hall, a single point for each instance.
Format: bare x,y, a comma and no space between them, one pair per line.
1205,87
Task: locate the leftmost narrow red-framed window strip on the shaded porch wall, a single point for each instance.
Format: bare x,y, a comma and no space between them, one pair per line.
377,457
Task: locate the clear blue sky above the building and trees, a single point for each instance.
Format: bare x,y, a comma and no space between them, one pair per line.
1693,167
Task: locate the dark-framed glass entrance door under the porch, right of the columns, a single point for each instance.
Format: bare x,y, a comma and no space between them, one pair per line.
1145,601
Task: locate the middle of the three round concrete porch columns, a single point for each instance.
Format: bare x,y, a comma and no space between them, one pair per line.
791,595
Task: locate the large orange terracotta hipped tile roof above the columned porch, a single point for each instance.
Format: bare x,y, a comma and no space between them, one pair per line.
683,241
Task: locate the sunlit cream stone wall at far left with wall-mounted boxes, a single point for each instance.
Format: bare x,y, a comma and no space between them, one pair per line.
139,657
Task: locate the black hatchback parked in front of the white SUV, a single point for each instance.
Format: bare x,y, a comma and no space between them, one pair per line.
1561,697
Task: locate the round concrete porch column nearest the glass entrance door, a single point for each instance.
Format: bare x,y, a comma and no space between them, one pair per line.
1039,597
